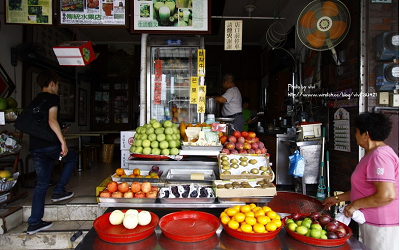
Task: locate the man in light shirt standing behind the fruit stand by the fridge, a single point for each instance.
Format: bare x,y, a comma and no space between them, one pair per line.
232,100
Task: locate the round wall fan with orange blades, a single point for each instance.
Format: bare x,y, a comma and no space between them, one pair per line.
323,24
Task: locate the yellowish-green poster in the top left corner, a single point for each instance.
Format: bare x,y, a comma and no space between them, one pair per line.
29,11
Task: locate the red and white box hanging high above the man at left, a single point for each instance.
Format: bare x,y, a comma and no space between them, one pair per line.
75,53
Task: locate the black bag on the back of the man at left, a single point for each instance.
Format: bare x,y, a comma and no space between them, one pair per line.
34,122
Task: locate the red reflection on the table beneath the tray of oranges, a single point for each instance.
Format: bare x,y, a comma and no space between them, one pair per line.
231,243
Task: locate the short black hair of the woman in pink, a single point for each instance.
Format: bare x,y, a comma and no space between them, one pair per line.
378,125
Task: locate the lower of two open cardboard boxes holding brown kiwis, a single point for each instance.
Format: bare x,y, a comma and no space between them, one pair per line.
270,190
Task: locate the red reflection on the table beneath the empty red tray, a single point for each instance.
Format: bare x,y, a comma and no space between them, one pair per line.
168,244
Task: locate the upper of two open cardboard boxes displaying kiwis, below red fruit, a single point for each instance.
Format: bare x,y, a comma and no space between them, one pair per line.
253,161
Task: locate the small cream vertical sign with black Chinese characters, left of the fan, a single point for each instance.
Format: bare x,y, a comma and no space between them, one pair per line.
233,35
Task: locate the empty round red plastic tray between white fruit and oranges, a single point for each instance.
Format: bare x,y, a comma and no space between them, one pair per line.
189,226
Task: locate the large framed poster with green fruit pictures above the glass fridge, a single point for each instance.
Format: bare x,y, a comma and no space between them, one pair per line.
172,16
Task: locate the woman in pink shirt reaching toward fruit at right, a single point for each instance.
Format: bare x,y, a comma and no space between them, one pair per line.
374,184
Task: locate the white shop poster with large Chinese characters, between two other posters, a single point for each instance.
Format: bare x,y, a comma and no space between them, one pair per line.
93,12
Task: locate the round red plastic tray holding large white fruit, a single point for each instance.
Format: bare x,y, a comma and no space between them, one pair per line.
119,234
